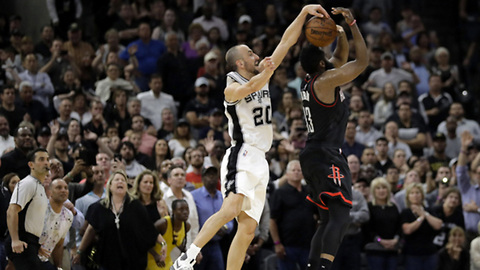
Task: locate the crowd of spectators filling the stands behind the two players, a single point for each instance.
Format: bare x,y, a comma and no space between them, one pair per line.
138,86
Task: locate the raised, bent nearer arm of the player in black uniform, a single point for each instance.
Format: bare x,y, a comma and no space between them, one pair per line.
352,69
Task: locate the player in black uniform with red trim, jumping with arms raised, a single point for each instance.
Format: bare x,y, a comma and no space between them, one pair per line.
324,166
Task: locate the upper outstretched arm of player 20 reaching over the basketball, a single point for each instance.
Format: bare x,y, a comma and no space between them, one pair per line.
293,31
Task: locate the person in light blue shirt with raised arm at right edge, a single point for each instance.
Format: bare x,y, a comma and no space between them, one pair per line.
468,181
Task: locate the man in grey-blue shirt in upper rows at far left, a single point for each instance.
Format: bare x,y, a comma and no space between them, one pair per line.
41,83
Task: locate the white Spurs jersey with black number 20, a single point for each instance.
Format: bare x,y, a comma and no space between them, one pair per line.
250,119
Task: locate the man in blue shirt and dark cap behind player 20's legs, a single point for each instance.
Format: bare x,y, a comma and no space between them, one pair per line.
208,200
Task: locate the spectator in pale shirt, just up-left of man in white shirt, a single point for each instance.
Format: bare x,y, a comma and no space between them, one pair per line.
103,87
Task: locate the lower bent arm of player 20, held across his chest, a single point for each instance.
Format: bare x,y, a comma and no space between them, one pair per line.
236,91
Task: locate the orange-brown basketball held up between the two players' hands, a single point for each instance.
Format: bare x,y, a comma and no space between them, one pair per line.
321,31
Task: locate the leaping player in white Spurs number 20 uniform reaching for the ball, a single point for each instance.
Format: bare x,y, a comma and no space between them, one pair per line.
244,171
